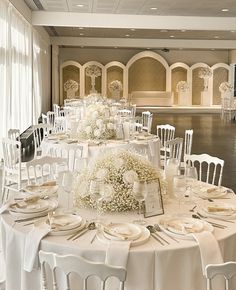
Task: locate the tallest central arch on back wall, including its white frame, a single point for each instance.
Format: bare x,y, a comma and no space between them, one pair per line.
147,71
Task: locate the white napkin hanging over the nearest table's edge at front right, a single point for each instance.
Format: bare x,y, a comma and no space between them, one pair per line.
209,249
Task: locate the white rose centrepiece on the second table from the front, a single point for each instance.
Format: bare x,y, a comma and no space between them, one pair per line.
97,124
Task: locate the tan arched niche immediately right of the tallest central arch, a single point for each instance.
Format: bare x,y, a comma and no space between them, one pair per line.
179,72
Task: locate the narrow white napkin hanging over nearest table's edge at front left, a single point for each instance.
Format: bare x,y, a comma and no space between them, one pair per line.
32,242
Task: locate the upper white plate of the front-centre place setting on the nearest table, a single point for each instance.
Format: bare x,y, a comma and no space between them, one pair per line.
121,231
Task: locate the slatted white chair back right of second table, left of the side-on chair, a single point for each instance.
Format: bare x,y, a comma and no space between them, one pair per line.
174,149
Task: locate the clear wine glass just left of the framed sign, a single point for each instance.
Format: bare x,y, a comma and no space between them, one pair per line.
140,193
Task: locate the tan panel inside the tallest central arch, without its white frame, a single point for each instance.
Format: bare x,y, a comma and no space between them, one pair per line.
147,74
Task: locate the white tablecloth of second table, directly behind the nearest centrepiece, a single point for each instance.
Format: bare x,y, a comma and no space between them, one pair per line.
151,147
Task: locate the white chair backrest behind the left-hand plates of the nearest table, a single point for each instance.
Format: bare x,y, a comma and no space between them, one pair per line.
44,169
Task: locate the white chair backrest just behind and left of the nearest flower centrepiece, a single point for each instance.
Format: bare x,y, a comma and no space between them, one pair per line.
73,153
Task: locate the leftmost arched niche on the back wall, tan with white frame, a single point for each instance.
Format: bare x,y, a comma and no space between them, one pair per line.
69,70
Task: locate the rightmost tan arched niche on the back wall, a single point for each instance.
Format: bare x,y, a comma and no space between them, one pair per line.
221,73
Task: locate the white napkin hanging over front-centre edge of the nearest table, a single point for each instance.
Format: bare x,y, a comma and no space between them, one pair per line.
117,253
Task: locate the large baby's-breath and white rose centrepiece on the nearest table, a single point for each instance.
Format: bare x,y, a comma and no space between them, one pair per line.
118,169
